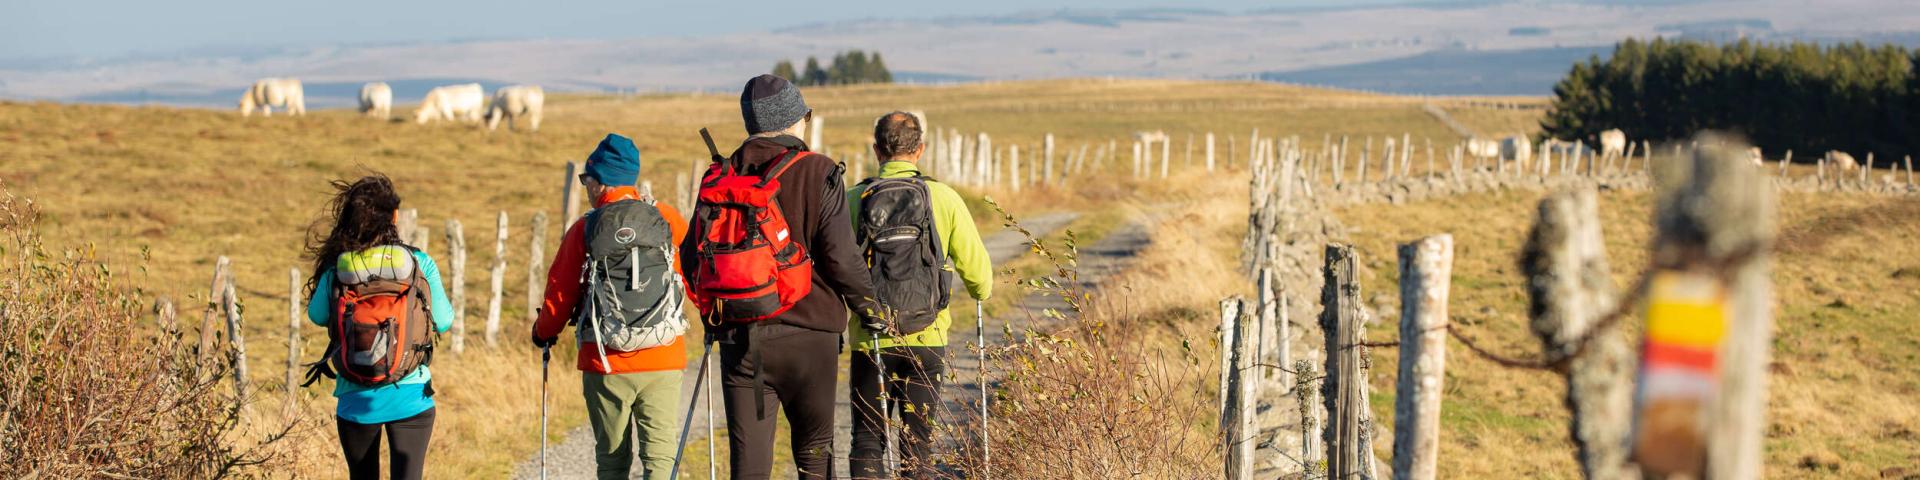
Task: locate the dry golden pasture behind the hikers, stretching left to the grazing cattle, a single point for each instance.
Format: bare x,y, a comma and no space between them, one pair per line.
193,185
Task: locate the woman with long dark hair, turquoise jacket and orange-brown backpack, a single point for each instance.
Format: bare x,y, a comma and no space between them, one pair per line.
383,304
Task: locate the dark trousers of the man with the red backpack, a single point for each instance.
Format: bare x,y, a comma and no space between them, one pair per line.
779,368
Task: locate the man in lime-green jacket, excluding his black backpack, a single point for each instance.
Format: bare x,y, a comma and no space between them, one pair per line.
913,360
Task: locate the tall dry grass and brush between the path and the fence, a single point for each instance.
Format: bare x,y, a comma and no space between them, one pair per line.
1099,395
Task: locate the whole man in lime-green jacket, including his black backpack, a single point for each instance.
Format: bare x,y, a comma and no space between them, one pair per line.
917,235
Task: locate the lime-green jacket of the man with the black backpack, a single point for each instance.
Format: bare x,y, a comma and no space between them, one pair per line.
961,241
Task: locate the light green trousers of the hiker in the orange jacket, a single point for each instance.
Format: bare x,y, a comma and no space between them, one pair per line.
640,400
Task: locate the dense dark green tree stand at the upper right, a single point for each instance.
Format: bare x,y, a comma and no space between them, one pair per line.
1783,97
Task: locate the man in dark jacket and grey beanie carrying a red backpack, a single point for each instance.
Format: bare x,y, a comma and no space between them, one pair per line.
775,270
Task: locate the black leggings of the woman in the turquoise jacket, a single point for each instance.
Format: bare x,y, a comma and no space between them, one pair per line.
406,437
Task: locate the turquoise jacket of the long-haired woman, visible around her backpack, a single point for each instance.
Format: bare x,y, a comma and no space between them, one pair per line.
396,402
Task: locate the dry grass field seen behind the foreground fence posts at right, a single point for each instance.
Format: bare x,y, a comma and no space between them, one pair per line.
1844,377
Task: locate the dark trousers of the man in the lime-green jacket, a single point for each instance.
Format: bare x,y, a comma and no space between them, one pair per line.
913,379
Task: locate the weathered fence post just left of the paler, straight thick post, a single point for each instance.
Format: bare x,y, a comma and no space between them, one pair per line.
1345,391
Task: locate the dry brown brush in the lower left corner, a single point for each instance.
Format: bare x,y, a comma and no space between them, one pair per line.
87,393
